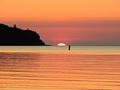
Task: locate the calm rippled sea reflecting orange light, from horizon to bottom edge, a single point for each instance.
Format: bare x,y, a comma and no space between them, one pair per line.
62,71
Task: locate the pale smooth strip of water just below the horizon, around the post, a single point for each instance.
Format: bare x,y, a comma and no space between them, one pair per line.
75,50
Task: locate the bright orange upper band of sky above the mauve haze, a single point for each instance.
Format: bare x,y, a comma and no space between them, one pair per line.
57,10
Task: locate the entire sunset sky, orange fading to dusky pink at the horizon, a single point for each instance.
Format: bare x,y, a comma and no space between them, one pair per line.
91,22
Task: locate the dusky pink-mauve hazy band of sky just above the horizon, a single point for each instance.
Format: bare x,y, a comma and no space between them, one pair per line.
79,33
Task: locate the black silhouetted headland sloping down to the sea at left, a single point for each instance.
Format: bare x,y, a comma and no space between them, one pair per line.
13,36
